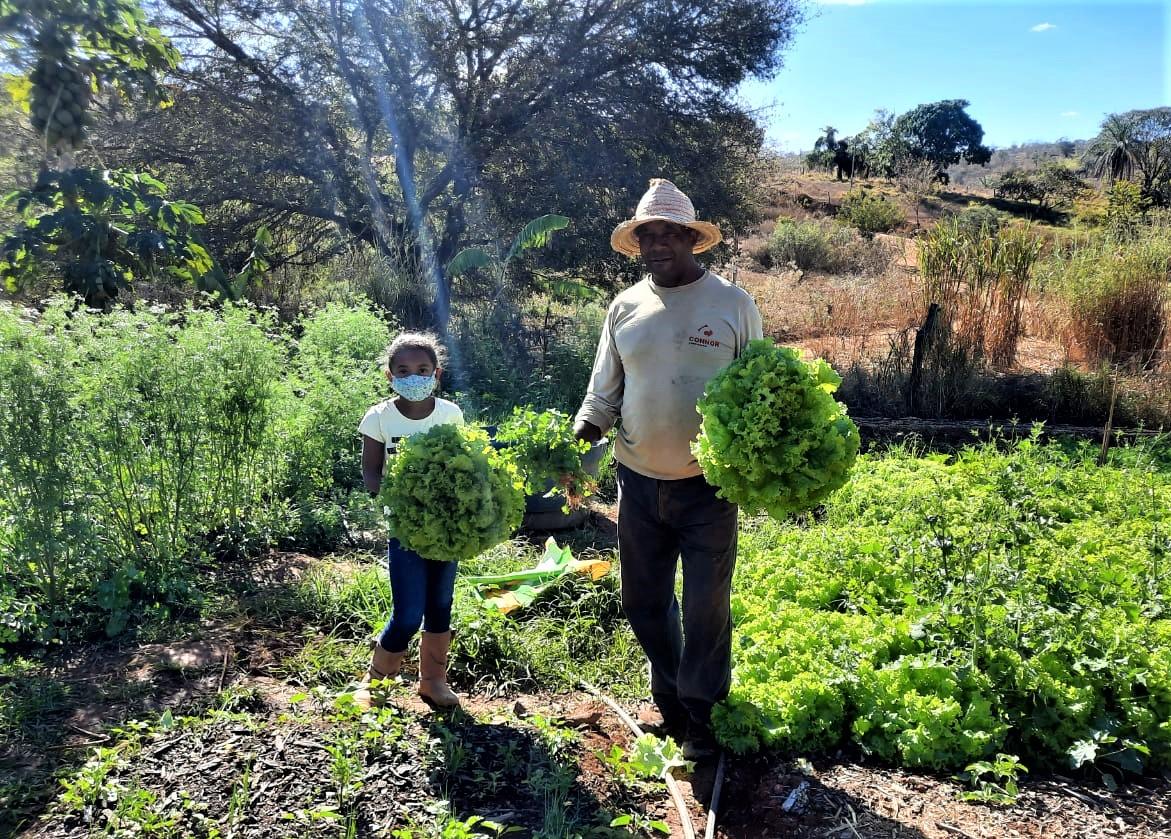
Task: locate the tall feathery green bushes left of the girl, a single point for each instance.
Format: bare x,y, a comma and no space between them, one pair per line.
138,446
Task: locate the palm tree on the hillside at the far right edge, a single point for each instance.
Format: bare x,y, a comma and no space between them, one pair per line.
1135,146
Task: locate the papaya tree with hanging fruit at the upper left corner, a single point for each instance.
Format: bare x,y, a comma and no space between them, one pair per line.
97,229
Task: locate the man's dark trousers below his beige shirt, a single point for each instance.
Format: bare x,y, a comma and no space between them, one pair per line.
659,522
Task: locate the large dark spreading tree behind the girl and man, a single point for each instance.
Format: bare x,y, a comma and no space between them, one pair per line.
421,127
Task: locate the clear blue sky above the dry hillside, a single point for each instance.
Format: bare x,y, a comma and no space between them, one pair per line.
1032,70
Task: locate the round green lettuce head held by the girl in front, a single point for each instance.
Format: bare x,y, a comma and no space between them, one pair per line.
450,496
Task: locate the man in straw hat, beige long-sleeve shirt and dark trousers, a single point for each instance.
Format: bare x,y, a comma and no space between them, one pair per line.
663,339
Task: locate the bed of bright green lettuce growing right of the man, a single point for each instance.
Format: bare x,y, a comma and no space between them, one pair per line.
951,609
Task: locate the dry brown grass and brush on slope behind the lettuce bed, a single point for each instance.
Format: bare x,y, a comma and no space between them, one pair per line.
1067,356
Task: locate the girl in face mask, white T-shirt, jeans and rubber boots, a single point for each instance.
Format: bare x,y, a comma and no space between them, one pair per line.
422,590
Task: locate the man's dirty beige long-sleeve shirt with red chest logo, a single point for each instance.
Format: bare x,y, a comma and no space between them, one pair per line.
660,347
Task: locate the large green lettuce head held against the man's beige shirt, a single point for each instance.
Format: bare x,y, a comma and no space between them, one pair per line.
773,438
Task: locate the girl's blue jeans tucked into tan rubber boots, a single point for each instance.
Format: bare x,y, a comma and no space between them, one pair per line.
422,592
